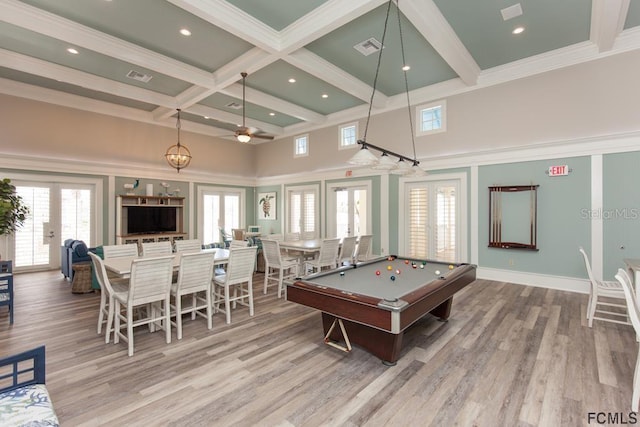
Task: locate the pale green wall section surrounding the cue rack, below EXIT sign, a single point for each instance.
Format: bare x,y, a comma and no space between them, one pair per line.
561,226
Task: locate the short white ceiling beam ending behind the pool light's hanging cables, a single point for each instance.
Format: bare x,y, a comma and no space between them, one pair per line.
324,70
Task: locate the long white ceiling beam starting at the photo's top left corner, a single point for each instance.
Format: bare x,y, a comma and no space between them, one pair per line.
33,19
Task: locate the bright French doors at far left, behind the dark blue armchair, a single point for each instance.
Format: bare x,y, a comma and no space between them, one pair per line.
57,211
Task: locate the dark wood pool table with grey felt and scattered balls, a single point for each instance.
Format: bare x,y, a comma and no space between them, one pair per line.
377,300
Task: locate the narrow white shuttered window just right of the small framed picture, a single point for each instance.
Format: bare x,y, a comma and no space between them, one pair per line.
302,210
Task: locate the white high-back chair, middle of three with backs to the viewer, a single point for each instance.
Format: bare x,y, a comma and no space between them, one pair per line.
194,280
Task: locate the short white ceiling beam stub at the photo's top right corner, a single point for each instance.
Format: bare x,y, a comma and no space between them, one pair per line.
607,22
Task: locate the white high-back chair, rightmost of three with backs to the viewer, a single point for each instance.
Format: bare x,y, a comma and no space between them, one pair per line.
239,273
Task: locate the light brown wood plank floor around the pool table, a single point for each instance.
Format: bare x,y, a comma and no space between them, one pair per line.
510,355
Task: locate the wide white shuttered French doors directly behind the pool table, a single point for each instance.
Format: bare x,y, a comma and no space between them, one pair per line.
432,220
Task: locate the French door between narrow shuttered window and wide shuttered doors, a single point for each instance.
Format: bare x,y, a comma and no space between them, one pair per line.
349,209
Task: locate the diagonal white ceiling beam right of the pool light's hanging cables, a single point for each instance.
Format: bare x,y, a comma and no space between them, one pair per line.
428,20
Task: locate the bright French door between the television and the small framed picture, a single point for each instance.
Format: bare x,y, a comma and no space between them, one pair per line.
219,209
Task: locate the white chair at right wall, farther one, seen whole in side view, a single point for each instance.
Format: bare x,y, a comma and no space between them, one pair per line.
600,309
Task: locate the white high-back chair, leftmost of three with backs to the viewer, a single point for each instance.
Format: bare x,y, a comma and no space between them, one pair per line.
149,287
